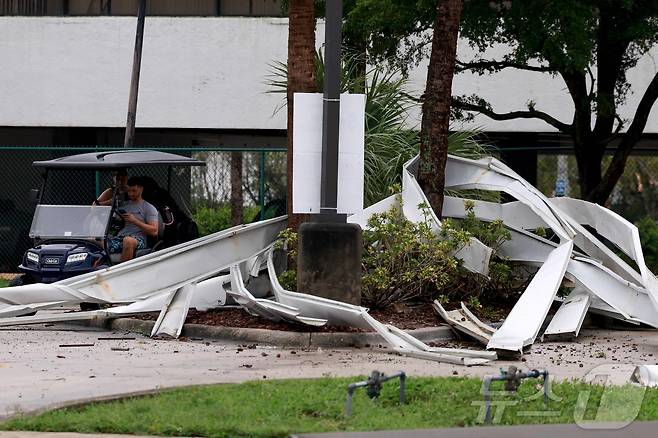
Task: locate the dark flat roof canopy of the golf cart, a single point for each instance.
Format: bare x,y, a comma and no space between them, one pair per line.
118,160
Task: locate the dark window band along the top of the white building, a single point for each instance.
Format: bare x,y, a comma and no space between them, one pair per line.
203,8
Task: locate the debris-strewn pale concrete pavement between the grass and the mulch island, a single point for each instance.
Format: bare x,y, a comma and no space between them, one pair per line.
38,370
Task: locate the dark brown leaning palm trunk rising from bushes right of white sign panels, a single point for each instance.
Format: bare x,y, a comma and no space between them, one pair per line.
436,106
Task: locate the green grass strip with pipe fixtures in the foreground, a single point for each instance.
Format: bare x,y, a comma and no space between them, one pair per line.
279,408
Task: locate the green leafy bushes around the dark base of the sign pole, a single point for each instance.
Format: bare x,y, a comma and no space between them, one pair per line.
405,262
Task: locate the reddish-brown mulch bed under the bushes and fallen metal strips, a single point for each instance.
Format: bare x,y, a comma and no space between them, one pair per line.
404,318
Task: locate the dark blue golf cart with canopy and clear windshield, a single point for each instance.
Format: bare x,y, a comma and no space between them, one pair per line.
70,240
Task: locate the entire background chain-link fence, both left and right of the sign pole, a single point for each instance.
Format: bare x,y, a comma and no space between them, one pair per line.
244,185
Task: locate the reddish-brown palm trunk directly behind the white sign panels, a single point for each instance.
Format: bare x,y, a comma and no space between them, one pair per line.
301,75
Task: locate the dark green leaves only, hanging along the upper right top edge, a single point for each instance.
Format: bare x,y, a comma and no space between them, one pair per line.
563,33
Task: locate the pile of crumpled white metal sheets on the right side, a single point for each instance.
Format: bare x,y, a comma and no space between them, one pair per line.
605,283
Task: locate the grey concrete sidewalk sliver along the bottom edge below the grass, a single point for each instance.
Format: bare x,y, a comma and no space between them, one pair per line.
634,430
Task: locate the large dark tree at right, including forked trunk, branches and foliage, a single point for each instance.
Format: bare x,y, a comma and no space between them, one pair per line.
589,44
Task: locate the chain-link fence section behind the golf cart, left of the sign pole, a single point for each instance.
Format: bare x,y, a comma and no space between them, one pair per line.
235,186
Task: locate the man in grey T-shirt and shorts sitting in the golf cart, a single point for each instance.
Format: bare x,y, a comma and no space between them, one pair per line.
141,221
